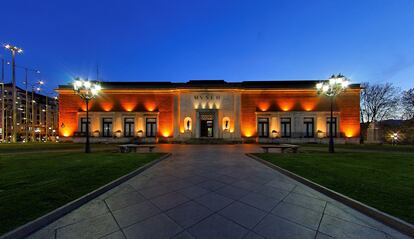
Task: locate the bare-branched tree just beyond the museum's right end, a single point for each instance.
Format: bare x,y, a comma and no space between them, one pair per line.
378,102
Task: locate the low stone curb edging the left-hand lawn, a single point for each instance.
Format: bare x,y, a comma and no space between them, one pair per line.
50,217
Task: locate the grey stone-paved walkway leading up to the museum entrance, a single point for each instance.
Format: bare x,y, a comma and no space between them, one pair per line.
213,191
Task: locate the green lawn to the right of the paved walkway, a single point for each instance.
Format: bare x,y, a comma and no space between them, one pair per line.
384,180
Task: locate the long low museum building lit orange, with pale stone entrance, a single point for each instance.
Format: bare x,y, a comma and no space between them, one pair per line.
248,111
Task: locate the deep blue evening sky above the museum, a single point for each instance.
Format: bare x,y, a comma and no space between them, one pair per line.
367,40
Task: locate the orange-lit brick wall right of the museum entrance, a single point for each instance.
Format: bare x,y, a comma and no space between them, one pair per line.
285,101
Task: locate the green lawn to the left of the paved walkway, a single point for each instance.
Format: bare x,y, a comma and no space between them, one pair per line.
34,184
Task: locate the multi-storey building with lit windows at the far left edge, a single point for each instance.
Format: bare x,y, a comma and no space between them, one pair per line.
45,112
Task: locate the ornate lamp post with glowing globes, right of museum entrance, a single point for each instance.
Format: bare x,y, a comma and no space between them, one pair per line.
331,88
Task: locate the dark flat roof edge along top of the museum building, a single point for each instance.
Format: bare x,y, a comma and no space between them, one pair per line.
216,84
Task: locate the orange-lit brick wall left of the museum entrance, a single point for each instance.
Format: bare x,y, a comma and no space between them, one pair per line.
71,104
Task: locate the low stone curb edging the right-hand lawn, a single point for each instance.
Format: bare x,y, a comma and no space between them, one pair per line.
378,215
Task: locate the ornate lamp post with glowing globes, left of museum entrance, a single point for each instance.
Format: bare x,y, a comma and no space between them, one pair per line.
86,90
